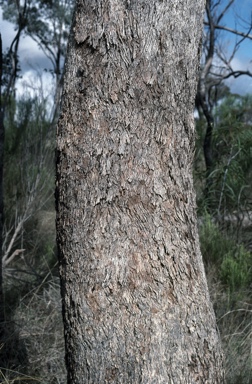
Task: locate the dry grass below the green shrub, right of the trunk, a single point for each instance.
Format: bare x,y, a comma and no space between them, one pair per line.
234,317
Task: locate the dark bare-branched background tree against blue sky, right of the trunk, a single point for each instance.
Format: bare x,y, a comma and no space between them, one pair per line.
216,67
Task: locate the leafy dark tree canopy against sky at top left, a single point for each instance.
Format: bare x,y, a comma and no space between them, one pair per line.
46,22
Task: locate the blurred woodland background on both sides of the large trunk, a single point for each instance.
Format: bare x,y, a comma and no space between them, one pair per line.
32,330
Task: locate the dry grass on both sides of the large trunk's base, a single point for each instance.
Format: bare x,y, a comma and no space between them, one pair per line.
36,334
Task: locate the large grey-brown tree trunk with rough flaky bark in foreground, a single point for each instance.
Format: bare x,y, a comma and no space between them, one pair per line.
136,307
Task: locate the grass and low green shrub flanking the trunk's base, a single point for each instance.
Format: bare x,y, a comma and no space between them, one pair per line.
35,331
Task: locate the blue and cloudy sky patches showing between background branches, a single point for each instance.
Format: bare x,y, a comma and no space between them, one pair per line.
33,60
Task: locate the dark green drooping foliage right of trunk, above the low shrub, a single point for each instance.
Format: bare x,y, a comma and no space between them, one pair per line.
229,180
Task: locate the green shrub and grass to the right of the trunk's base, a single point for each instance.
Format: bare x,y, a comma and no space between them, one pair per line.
228,267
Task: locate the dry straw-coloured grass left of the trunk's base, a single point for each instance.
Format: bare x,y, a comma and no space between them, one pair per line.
38,323
